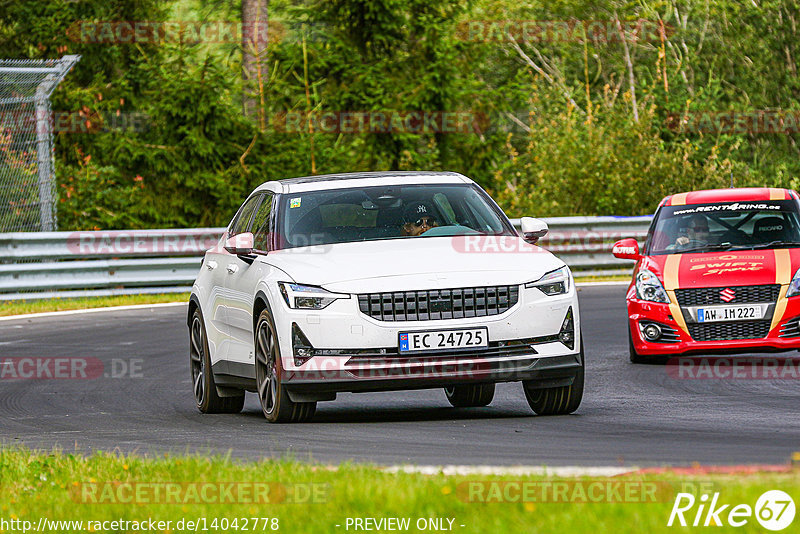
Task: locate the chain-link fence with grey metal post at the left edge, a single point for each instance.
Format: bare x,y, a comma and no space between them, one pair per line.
27,178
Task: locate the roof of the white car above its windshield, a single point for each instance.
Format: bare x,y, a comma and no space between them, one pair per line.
361,179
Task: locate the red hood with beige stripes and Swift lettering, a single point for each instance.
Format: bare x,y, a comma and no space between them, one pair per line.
740,268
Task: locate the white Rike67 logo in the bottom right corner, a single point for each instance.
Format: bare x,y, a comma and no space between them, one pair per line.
774,510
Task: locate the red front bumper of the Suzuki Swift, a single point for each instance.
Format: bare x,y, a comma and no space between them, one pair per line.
681,342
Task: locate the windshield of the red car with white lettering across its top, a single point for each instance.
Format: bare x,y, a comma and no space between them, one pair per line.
724,226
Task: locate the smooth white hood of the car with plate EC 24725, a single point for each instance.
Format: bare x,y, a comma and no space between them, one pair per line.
415,263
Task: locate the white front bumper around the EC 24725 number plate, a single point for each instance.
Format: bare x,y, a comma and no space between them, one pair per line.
348,350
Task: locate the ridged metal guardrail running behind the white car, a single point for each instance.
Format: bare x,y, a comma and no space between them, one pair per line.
77,264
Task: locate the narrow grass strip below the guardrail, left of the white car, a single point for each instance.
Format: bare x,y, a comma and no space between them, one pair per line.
20,307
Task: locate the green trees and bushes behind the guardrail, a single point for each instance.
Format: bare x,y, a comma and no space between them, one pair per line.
576,146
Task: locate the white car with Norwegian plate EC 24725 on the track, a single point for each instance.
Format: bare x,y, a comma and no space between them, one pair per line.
379,282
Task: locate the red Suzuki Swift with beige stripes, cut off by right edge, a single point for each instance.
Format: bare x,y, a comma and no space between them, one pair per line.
718,273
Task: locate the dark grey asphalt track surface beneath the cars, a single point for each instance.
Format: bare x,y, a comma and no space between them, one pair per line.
632,415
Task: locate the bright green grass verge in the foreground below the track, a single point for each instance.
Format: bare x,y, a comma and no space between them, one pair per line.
311,498
